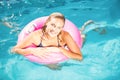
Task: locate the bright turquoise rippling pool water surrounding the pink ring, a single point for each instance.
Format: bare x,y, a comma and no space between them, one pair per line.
101,50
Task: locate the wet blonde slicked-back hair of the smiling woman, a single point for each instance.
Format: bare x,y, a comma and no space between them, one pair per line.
53,15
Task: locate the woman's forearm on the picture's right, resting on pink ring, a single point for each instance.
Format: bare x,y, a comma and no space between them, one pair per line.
70,54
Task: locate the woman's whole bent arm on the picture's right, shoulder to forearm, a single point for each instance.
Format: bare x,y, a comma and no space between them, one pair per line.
74,51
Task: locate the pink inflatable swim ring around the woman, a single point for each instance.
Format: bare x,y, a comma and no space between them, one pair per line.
55,57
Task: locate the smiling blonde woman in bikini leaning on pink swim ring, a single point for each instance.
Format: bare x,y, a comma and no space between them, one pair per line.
51,38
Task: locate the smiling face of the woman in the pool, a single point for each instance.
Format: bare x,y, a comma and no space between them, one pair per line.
54,26
